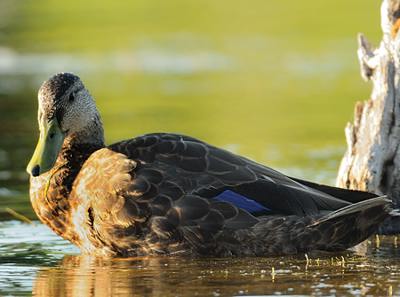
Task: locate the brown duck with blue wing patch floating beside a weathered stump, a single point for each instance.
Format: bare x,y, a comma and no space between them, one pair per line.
172,194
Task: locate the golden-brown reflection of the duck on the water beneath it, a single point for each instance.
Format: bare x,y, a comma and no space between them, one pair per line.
81,275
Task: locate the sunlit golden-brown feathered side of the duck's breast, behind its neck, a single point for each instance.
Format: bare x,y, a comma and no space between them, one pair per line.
104,212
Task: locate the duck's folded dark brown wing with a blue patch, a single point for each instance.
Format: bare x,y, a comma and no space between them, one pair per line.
220,176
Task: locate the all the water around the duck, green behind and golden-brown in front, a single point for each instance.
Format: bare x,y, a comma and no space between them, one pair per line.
273,80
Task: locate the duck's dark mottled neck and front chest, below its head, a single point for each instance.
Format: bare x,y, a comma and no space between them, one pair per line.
50,192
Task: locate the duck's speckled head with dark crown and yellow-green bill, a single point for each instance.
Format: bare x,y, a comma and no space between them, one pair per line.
65,109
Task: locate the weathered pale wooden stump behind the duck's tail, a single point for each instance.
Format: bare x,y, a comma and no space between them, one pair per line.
372,159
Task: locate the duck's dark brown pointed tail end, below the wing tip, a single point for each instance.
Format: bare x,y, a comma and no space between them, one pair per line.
348,226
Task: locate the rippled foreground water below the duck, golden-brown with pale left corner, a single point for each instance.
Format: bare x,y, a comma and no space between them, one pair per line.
33,258
